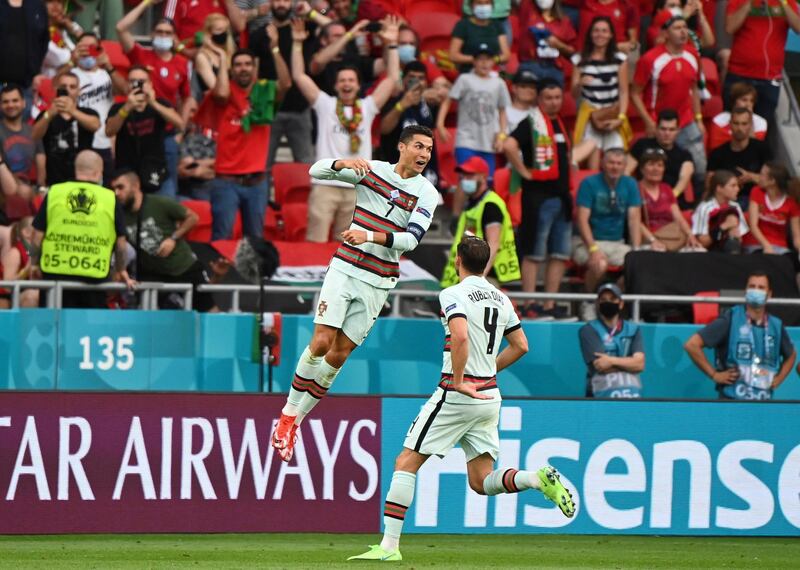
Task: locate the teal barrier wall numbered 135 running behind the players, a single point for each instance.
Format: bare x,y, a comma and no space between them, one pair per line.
42,349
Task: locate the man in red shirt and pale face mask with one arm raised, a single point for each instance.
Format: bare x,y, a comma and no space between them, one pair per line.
169,74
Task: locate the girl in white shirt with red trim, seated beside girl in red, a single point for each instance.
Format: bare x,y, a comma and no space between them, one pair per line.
718,222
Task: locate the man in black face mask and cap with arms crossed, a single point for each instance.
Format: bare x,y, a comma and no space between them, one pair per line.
612,349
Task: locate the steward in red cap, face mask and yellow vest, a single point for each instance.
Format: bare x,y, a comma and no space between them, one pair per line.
485,216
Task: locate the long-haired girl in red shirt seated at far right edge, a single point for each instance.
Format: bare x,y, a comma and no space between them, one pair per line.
773,210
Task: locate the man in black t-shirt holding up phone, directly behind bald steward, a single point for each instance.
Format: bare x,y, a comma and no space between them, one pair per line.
65,129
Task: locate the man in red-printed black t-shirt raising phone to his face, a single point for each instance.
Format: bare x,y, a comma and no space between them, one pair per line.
140,125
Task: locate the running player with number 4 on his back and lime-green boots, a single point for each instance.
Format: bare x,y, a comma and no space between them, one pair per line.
465,408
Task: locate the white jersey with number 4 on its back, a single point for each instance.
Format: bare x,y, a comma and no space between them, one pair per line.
490,316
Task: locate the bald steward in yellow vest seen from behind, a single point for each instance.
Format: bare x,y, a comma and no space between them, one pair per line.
78,226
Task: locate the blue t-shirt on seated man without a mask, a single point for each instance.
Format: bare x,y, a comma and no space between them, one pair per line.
608,215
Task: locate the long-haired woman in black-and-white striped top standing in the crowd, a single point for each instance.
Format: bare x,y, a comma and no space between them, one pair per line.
600,79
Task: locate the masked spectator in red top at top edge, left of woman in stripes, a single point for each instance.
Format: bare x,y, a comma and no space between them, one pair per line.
546,38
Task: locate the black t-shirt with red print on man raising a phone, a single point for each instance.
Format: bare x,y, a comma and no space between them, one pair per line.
140,141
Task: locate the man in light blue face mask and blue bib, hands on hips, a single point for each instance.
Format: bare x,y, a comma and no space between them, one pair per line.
753,351
